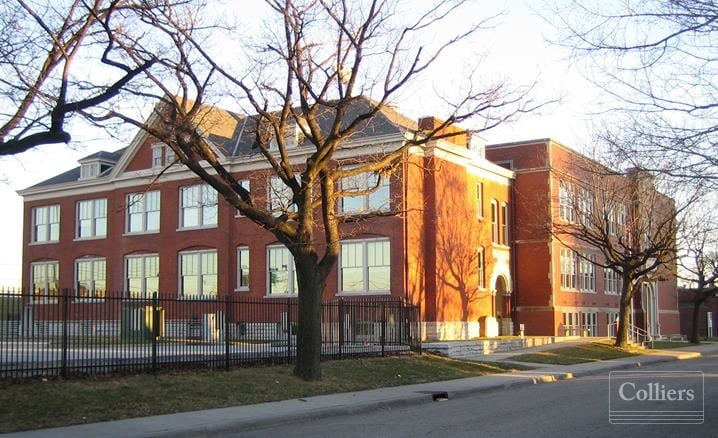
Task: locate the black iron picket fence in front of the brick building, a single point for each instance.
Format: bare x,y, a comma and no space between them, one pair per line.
66,335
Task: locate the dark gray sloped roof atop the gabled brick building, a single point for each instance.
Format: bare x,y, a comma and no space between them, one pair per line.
385,122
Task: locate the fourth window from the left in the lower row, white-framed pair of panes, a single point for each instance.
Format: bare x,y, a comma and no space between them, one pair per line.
198,274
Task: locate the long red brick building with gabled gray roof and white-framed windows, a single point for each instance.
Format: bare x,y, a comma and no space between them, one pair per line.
461,244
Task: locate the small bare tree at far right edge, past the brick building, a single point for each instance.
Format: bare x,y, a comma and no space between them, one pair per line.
698,264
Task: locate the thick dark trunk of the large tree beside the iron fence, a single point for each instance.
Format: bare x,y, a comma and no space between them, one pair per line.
309,321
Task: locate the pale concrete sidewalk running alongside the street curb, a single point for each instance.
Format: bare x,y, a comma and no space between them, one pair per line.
216,421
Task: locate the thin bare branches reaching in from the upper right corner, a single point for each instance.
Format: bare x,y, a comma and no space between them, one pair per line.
658,61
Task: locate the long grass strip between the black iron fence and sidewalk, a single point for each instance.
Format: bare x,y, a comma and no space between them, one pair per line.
37,404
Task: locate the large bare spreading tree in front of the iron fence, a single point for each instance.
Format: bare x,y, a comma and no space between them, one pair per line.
307,76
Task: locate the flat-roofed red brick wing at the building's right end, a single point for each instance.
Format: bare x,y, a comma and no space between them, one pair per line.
556,291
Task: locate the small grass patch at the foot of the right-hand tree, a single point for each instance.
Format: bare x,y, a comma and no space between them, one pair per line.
591,352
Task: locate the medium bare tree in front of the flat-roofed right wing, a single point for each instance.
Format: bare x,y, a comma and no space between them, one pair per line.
625,218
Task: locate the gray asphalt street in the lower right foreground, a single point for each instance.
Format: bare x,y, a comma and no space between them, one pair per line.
572,408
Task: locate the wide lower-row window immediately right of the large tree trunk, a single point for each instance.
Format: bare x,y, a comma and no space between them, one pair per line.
365,266
